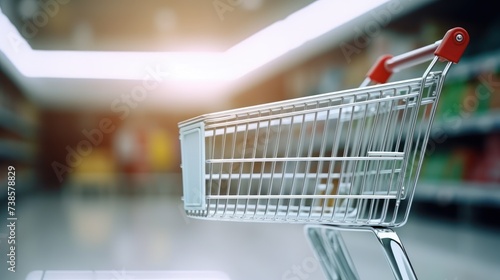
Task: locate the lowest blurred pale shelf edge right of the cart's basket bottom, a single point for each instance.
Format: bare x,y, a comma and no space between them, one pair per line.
472,193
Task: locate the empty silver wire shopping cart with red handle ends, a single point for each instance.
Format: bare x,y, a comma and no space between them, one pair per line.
346,160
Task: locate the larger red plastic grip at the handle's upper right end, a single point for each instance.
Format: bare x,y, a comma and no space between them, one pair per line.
453,45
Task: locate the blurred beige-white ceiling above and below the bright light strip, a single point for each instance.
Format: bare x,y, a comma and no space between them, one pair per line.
168,18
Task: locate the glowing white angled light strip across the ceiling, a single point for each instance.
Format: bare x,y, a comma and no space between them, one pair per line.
259,49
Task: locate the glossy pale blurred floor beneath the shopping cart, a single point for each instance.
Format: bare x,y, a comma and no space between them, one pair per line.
56,232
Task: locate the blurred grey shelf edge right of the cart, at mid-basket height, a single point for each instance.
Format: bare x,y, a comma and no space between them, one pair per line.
460,126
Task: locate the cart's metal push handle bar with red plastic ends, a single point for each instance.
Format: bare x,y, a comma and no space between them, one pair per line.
450,48
